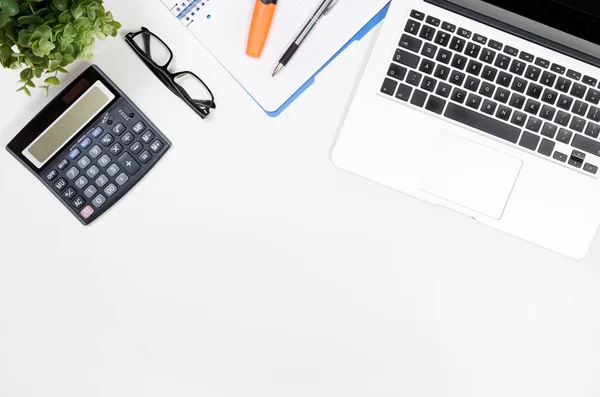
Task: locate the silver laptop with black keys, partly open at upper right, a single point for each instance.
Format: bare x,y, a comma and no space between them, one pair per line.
490,108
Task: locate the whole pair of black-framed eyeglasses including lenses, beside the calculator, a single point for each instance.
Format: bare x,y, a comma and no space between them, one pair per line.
186,85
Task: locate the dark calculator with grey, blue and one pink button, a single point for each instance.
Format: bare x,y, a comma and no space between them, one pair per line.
90,145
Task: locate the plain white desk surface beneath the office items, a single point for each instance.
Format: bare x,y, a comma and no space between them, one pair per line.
246,264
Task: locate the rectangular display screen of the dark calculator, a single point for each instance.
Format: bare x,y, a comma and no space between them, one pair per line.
77,116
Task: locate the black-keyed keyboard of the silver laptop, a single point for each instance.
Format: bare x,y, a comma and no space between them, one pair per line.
523,99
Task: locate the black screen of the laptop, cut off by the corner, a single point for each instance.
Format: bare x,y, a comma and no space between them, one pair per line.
572,23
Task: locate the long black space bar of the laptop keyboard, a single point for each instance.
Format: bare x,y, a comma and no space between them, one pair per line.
482,122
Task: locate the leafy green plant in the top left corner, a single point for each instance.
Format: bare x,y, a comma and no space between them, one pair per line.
42,37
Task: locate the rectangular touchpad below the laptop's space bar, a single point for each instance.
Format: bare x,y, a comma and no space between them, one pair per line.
470,175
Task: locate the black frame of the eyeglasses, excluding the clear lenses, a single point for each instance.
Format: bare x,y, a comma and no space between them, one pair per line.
201,107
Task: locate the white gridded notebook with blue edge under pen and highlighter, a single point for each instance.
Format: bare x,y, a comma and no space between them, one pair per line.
222,27
